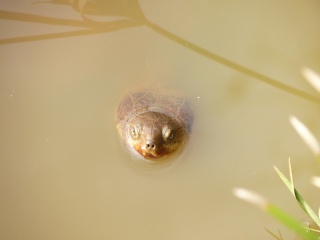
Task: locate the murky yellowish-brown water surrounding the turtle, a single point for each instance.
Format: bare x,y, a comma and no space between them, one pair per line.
63,173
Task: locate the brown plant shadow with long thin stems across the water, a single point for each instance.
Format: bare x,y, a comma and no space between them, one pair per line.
131,15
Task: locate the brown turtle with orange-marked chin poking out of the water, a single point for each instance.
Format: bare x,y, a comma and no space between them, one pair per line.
154,124
